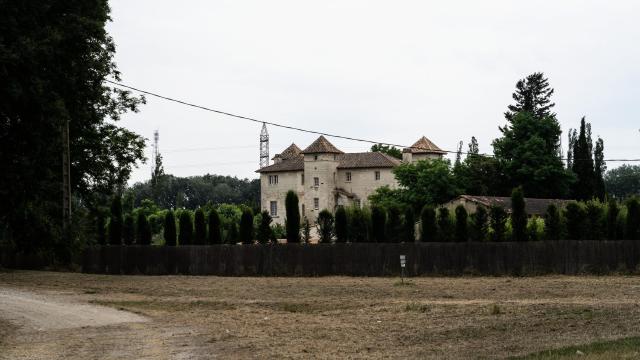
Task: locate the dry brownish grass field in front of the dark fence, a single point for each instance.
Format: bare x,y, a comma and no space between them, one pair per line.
334,317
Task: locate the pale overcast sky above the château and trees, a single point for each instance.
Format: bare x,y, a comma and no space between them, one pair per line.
384,70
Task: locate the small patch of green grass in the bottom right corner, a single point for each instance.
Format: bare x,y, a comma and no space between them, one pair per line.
627,348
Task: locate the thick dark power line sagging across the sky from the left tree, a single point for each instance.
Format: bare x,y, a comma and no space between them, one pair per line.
306,130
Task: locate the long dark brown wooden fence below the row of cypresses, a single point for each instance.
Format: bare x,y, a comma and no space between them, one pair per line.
507,258
